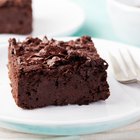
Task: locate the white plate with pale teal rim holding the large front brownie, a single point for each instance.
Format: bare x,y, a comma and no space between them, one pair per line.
122,107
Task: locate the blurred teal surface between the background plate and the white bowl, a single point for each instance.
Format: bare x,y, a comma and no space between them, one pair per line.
97,22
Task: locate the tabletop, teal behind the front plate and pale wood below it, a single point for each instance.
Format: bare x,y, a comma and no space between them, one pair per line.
97,25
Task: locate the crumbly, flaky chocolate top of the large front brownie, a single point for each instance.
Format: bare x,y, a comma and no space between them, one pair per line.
52,53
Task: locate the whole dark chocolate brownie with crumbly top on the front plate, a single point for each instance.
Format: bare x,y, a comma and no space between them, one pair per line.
50,72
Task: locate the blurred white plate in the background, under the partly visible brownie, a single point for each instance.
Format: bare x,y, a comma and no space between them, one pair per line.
56,17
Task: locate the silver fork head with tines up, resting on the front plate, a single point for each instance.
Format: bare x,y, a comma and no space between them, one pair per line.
125,75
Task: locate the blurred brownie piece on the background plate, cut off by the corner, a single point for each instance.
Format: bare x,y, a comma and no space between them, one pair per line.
16,16
